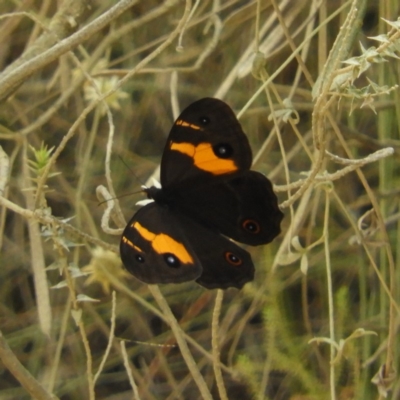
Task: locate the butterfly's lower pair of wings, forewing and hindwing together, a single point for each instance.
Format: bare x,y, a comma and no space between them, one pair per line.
161,246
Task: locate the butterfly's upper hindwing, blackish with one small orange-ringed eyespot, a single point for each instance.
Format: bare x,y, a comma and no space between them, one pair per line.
242,207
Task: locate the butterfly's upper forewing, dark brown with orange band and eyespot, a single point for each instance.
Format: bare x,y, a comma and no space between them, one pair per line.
205,142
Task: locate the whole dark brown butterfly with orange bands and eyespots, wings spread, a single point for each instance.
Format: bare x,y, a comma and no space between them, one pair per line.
208,199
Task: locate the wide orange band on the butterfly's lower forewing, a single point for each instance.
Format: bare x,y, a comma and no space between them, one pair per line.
162,243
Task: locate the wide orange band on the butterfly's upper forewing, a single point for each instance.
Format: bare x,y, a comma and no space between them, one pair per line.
204,158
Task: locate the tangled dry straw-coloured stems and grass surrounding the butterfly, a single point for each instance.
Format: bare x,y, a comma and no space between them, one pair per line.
88,97
